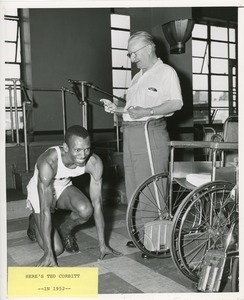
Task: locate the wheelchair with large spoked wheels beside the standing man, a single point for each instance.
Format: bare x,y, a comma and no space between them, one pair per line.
169,216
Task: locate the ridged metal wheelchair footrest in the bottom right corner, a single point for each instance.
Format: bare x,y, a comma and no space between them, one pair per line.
212,271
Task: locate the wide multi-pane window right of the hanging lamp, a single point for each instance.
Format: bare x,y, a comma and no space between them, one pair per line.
214,56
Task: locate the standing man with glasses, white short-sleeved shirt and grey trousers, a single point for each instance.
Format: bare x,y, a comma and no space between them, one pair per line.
154,93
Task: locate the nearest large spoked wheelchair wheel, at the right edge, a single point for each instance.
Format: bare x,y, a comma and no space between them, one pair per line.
202,222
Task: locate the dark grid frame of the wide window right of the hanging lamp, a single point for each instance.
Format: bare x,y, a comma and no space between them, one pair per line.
209,108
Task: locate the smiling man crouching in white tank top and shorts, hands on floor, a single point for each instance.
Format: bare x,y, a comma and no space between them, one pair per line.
51,188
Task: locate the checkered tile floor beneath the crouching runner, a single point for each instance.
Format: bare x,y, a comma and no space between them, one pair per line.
128,273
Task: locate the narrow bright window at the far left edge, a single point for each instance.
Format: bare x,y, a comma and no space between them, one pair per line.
13,106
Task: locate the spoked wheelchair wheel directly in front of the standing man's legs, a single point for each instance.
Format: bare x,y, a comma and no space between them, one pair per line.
148,218
